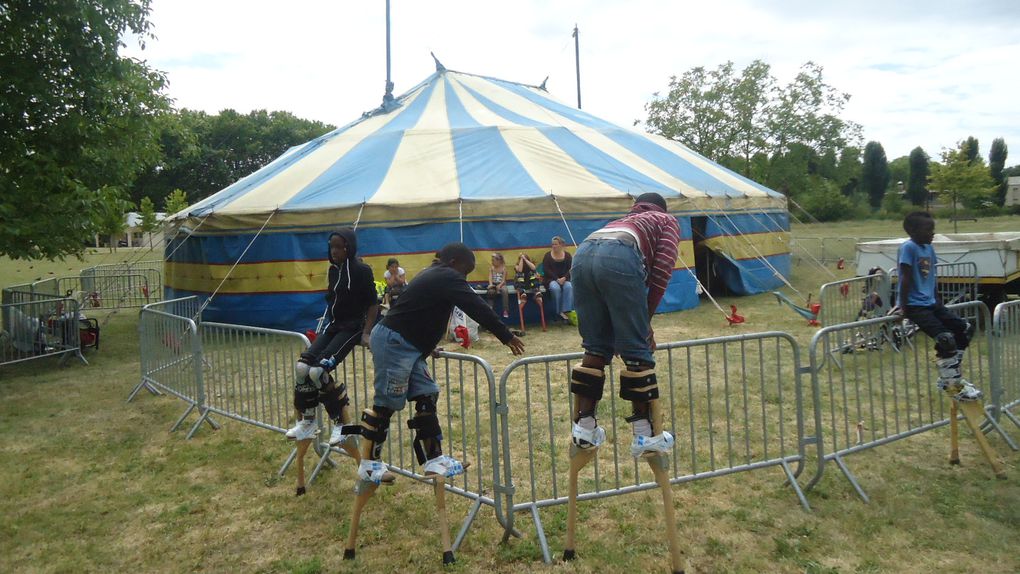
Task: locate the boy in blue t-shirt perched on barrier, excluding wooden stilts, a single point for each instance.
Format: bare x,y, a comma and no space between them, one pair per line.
917,299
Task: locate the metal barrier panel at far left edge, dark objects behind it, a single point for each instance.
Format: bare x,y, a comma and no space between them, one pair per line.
35,327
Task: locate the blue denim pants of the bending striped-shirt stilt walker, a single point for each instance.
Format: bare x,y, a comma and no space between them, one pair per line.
608,276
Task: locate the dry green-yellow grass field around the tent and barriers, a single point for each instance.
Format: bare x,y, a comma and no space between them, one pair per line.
92,484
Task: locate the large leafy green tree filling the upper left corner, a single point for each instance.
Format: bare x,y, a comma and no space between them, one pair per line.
75,117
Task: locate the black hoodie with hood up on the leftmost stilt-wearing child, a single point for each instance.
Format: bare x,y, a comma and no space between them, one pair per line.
351,288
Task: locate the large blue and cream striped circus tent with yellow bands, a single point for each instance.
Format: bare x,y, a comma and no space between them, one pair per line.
500,166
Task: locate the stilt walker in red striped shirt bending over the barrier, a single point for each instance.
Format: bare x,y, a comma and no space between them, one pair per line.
620,276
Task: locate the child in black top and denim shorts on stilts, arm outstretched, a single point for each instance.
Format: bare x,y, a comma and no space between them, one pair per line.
401,344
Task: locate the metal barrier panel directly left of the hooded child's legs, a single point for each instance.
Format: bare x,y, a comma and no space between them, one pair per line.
248,374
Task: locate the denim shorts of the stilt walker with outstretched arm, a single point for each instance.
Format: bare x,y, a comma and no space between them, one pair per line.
401,371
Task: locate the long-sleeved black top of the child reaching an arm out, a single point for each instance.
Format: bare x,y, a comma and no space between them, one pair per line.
423,312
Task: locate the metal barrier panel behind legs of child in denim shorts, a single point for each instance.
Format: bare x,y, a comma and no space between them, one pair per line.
468,399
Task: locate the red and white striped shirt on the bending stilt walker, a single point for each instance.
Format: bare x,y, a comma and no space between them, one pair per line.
658,236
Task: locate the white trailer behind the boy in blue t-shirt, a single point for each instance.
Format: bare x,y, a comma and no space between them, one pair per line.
996,255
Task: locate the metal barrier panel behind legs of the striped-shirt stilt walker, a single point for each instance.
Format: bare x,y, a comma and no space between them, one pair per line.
735,404
